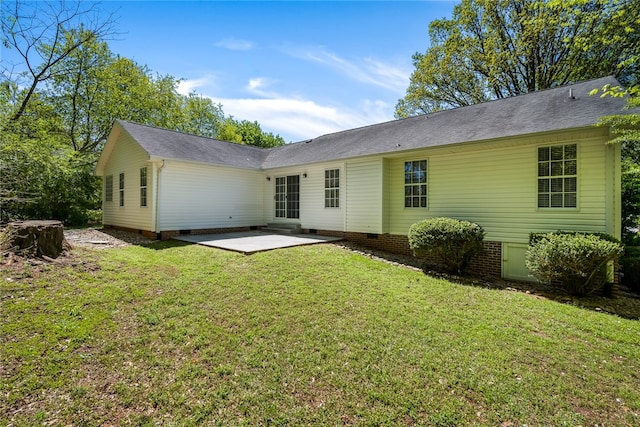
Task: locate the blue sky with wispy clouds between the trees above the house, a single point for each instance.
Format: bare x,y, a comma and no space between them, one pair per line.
300,68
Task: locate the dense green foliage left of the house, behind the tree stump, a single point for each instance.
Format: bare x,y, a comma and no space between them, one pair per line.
40,175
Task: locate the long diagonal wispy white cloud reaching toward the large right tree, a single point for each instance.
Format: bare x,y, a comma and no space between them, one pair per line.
369,70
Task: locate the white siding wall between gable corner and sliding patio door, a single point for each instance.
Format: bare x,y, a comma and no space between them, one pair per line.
197,196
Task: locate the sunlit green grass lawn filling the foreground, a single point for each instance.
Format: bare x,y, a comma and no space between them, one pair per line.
174,334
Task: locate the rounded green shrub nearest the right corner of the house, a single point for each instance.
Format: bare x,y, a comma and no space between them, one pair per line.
577,261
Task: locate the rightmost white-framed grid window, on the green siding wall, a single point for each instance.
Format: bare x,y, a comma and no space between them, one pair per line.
558,176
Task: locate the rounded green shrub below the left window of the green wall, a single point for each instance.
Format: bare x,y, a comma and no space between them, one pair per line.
450,242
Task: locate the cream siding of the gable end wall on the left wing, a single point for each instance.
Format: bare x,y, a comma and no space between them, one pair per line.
127,158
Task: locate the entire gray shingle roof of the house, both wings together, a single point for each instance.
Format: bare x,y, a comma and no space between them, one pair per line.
536,112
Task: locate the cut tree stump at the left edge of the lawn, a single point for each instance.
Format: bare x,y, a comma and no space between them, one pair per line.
35,238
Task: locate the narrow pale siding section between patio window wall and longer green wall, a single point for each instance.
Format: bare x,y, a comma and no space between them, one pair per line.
364,187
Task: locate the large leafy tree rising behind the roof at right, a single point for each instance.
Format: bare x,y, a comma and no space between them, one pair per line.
499,48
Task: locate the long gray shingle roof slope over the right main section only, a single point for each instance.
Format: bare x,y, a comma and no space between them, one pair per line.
536,112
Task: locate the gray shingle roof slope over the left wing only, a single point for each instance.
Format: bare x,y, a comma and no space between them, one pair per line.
167,144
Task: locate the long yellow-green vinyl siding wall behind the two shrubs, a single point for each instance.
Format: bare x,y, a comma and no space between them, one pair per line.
496,186
